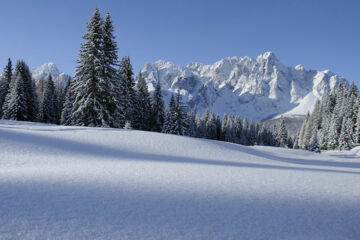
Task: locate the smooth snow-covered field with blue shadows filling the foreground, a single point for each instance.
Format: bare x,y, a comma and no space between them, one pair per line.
90,183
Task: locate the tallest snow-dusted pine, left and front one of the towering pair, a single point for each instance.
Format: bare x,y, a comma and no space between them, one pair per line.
91,105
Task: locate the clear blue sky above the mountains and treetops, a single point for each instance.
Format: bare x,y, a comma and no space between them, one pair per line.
318,34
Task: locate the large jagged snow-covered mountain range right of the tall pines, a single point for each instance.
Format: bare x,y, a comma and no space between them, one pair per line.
258,89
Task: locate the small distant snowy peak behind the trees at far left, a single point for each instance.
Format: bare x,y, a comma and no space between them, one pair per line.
60,79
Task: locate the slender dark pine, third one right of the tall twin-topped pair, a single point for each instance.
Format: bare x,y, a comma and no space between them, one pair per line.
157,110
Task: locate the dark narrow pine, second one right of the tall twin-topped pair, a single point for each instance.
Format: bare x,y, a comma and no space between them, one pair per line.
143,105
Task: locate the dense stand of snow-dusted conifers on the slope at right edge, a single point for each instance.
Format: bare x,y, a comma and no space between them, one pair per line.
334,123
